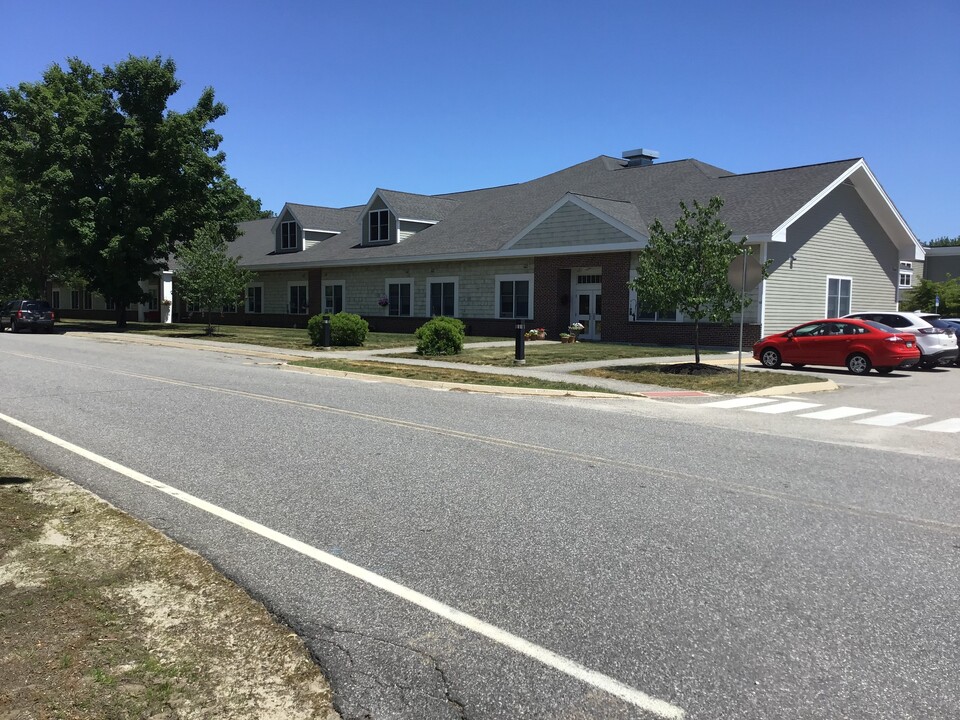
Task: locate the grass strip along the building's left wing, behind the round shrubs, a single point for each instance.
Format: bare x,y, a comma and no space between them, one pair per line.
286,338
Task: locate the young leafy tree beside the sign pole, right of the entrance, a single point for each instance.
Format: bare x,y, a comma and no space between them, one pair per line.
686,268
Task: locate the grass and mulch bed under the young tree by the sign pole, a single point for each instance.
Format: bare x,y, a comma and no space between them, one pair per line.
723,380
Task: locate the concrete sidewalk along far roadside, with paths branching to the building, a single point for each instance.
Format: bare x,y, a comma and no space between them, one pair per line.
562,373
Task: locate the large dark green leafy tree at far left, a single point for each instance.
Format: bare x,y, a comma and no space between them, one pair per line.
107,181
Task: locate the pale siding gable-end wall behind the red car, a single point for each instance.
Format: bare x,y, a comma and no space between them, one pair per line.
837,238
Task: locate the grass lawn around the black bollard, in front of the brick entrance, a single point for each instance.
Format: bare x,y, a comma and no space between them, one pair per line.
537,353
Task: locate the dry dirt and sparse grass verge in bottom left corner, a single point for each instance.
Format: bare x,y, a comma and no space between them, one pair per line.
103,617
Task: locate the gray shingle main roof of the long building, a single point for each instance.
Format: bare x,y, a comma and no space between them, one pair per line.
480,222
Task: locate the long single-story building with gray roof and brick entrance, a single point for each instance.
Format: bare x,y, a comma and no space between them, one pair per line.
562,248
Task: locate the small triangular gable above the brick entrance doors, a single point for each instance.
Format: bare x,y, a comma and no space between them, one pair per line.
581,221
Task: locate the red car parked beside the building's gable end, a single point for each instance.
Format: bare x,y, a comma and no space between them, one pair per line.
857,345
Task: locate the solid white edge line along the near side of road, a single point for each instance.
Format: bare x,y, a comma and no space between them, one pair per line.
660,708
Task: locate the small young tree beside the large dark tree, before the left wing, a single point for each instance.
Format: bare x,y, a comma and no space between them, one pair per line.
207,277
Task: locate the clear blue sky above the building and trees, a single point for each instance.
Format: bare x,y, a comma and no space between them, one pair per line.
329,100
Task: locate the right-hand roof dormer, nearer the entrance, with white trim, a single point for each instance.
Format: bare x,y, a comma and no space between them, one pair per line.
390,217
